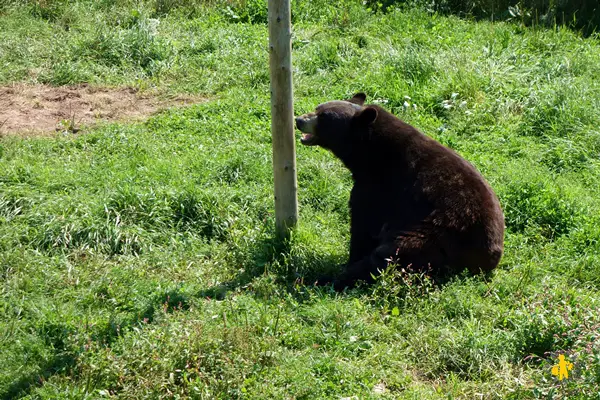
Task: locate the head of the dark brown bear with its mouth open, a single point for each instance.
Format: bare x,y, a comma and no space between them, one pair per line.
337,125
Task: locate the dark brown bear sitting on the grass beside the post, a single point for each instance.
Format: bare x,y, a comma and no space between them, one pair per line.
414,200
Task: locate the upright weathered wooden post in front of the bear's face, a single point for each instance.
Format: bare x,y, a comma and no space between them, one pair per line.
282,117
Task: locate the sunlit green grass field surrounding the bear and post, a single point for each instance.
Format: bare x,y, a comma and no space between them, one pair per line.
138,260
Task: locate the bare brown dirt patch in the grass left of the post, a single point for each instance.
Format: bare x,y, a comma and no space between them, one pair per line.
40,109
